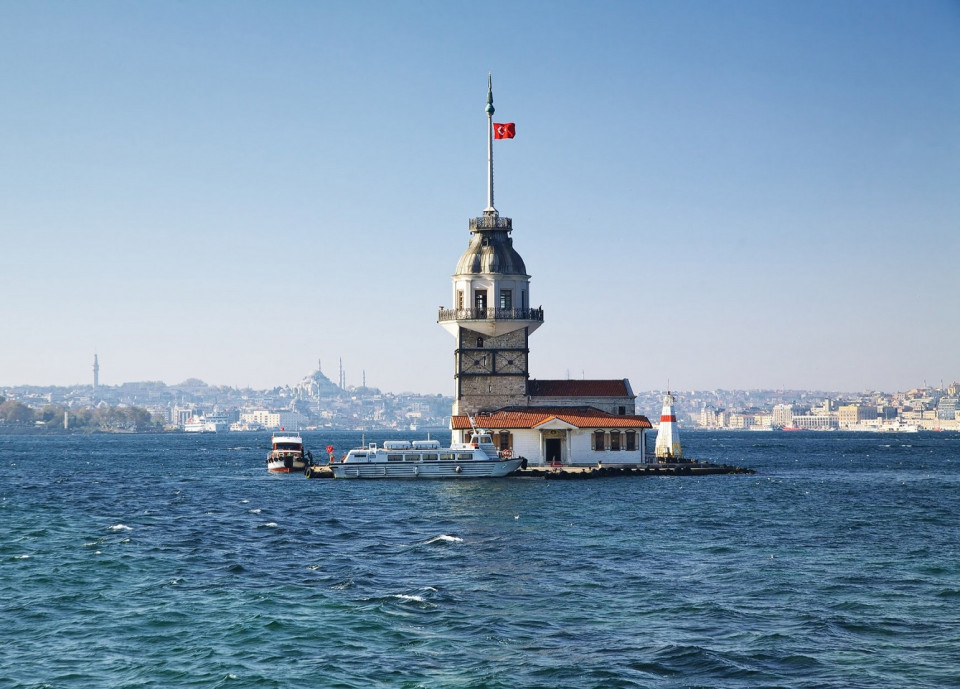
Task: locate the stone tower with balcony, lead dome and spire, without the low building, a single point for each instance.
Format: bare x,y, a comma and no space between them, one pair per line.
491,315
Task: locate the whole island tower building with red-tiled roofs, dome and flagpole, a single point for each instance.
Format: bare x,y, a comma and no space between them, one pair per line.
550,422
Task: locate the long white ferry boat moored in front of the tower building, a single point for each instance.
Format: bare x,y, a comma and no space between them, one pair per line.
426,459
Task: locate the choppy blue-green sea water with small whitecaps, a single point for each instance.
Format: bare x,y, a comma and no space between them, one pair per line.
176,560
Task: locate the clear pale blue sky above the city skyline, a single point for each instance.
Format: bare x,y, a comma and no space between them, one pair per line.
707,194
